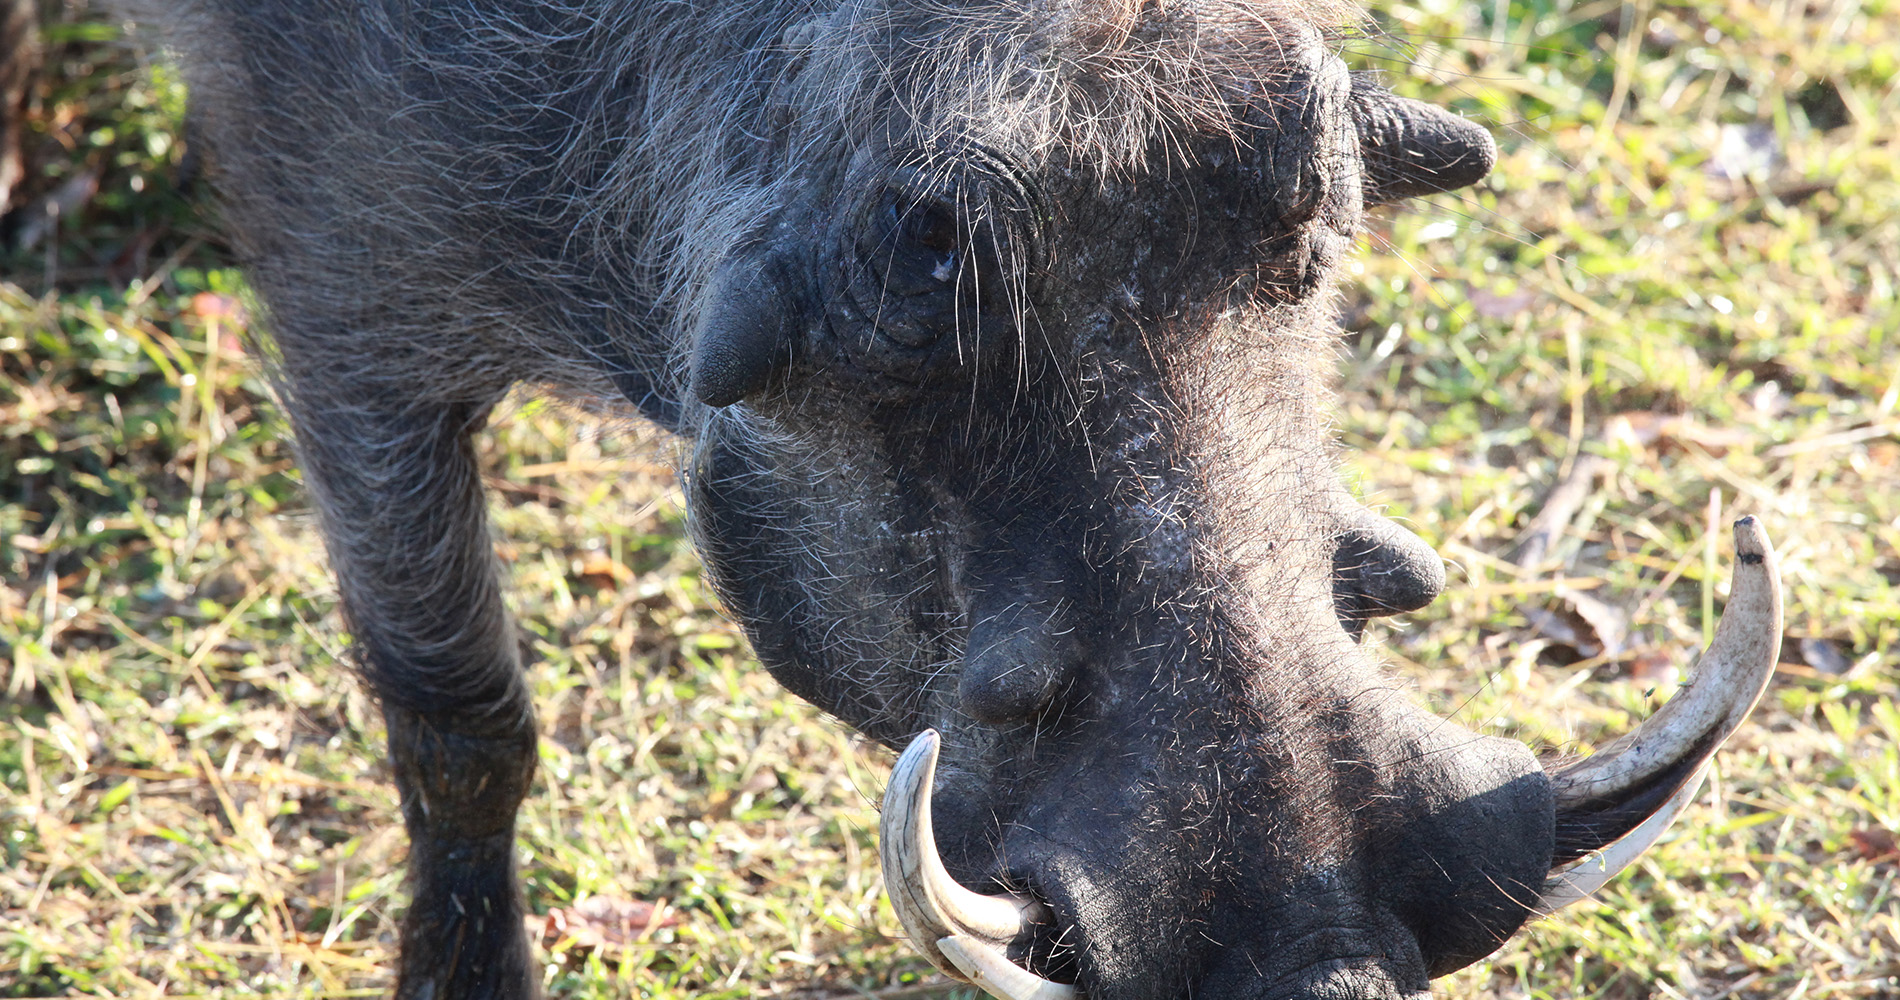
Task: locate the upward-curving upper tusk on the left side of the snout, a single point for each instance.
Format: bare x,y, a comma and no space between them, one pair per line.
928,902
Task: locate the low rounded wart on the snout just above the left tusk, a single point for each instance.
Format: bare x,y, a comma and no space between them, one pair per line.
1016,663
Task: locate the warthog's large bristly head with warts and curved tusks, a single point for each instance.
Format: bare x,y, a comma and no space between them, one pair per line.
1016,436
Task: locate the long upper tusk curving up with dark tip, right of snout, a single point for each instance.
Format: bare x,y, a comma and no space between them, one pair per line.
1713,704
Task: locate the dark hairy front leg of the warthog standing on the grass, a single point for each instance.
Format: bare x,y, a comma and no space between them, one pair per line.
404,516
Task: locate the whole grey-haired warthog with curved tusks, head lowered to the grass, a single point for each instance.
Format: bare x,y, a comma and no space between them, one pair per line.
1002,337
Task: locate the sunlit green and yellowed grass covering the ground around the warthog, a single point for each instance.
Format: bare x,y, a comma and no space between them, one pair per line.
1686,265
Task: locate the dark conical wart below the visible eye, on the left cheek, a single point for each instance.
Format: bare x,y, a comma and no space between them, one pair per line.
744,334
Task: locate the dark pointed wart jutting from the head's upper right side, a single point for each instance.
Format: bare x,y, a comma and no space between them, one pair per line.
1413,147
